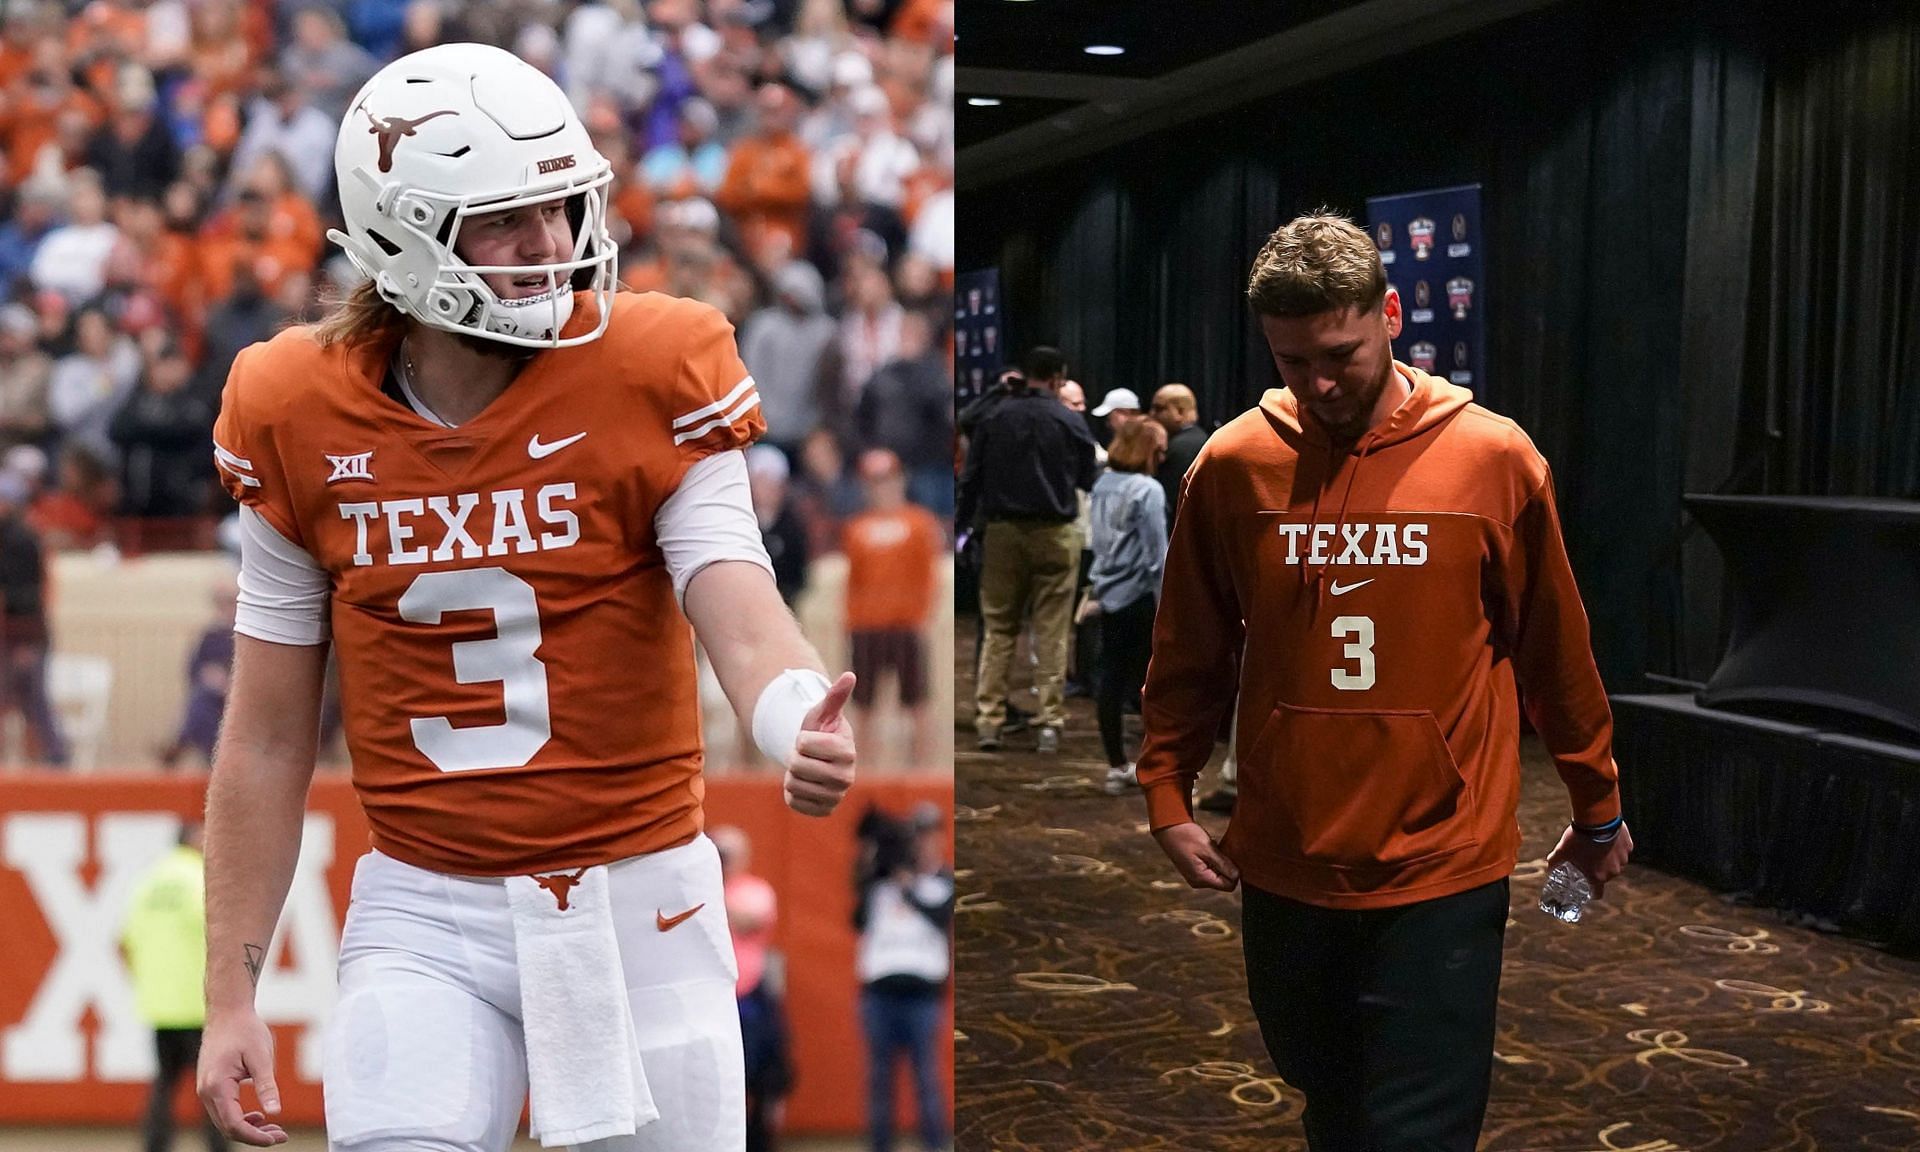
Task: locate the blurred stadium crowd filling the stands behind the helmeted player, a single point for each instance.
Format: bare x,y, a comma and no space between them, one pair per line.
166,187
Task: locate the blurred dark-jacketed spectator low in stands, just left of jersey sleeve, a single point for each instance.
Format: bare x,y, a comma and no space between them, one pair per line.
164,433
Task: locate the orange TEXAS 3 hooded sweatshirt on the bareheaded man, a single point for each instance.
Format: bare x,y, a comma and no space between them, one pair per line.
1381,612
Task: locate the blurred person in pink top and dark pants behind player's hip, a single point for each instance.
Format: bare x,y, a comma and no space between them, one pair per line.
752,909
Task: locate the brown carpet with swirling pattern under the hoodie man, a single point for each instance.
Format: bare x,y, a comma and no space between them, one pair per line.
1103,1005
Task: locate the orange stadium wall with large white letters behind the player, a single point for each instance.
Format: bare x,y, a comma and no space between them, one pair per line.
74,1051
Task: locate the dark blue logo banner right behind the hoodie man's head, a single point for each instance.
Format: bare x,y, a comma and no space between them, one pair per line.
1431,245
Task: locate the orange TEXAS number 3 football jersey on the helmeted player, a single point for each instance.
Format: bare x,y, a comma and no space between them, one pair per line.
517,679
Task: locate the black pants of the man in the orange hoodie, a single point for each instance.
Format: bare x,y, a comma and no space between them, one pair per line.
1381,1019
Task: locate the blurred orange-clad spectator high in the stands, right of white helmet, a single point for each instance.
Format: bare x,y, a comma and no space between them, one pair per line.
767,181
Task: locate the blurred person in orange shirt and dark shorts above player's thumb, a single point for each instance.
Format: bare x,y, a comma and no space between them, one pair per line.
892,550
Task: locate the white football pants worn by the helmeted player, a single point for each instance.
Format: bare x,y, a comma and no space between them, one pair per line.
425,1049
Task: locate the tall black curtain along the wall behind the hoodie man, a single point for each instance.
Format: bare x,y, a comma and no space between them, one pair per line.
1704,245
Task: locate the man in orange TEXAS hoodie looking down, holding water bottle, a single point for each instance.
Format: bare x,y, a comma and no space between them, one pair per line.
1376,564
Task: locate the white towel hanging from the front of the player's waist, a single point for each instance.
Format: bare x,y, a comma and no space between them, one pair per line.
583,1053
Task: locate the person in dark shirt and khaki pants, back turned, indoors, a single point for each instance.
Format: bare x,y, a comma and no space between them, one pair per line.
1024,469
